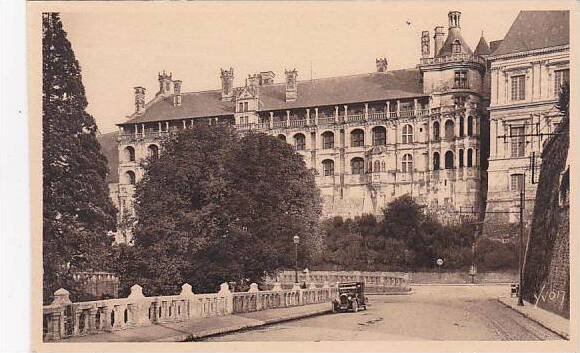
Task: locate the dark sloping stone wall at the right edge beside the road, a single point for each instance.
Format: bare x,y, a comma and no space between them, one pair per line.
547,264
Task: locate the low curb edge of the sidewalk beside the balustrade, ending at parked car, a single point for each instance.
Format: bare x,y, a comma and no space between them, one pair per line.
236,328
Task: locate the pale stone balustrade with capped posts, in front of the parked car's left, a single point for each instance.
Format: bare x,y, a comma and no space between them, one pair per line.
63,318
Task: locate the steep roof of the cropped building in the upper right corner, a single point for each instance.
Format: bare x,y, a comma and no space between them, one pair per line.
536,30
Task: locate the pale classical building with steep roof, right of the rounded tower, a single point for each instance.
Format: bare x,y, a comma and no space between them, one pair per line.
527,70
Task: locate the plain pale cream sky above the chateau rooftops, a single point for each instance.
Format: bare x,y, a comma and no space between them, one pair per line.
122,47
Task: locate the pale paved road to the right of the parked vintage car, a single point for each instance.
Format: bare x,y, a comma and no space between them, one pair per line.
431,313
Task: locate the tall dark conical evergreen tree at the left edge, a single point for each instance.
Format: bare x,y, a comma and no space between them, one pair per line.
77,211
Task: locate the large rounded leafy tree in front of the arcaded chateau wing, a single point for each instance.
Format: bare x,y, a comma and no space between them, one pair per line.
215,207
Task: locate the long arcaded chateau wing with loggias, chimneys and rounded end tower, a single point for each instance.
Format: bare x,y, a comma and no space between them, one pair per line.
370,137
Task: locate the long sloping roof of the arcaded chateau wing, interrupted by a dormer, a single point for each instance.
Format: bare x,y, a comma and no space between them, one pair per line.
396,84
